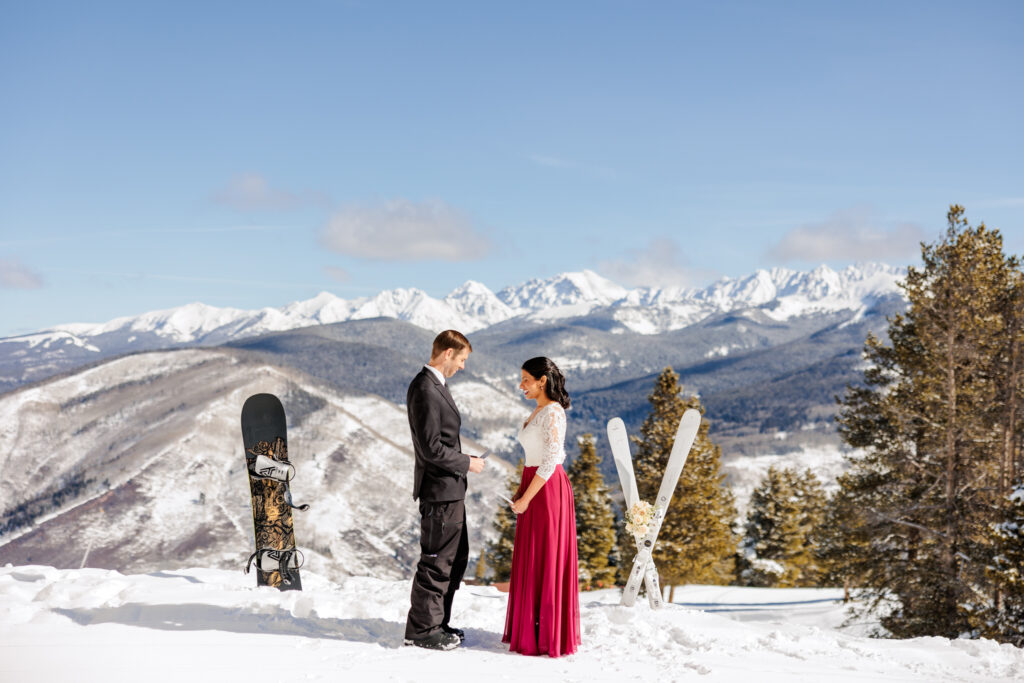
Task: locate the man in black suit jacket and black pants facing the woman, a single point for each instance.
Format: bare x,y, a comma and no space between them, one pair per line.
440,485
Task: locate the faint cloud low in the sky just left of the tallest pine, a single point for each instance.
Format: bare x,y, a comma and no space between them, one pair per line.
849,236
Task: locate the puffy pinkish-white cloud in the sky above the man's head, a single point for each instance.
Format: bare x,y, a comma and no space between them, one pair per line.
404,231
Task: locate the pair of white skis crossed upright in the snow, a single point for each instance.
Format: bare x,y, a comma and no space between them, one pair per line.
644,566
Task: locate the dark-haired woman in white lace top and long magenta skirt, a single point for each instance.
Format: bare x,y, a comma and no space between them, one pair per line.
543,615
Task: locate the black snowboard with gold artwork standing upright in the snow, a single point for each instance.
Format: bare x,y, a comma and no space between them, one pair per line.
266,441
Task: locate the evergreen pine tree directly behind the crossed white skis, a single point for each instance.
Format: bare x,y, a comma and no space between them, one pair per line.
697,543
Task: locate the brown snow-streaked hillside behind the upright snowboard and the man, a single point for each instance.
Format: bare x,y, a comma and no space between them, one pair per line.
155,444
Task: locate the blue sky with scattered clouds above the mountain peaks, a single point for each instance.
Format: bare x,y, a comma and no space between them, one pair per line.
255,154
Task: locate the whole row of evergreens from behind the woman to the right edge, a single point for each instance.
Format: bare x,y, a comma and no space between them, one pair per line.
926,528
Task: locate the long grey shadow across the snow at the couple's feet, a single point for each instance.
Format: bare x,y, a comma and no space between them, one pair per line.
262,620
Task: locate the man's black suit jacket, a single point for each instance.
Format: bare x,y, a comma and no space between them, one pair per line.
434,418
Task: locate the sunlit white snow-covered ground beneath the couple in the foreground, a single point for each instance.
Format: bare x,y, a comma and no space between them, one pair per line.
209,625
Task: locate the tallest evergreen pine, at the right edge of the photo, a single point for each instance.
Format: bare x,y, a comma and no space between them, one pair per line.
932,424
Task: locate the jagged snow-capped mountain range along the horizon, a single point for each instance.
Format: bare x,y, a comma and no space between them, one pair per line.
780,294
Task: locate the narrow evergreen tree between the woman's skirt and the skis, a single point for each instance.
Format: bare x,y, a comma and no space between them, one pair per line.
594,518
